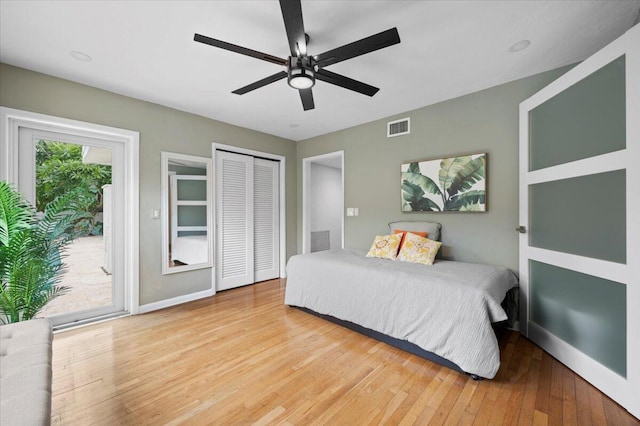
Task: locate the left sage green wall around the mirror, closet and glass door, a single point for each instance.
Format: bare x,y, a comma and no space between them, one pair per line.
161,129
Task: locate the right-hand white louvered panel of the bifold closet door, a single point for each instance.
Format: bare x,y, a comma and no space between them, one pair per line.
266,220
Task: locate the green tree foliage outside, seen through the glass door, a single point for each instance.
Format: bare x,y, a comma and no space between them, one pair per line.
59,170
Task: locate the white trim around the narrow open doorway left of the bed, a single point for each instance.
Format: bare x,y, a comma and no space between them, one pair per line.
306,196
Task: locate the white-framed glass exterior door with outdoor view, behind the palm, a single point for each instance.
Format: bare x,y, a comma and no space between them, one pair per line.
45,157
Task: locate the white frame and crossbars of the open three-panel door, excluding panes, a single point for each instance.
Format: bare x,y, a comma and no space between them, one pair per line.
625,391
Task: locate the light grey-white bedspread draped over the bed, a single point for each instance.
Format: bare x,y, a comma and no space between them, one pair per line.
446,308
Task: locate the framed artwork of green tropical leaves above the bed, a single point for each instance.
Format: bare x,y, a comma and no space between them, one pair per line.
445,184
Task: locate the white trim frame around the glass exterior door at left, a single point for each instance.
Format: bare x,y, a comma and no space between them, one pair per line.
10,122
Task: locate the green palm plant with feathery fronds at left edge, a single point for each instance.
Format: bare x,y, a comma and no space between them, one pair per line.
31,249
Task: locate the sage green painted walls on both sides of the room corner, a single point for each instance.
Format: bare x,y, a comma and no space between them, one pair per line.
485,121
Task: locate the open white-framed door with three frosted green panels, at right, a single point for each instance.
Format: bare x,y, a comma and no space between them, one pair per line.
579,241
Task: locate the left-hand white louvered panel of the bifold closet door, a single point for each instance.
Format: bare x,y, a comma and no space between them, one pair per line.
234,220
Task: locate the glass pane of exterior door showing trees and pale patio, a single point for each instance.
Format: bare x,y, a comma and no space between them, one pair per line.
86,171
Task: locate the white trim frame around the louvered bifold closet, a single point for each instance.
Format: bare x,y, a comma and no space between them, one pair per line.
283,205
